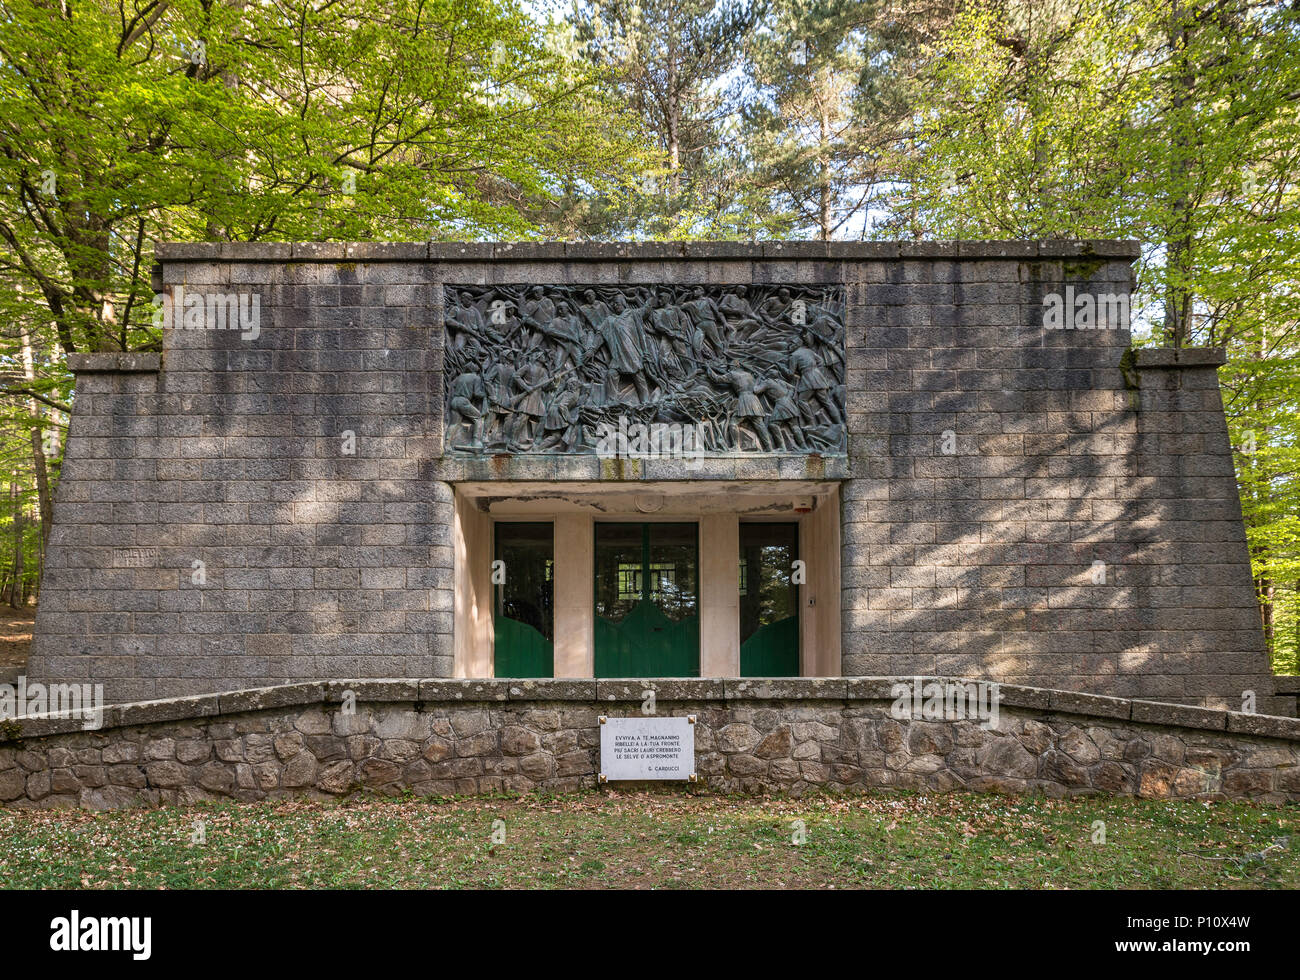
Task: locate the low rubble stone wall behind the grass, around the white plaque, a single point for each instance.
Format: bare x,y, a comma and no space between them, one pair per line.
443,738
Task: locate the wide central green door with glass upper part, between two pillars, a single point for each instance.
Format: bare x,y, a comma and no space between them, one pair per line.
647,601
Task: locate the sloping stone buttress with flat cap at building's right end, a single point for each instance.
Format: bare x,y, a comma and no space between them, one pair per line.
1202,640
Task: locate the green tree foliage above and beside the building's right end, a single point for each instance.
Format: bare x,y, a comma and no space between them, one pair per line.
1176,125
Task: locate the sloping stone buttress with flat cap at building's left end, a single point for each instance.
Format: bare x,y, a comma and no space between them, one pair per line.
106,562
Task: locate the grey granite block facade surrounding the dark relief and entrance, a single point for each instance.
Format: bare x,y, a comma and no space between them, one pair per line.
1024,500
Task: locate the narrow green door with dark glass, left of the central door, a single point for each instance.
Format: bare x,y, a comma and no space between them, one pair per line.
523,588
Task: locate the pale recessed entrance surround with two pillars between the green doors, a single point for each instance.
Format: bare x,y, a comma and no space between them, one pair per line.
716,506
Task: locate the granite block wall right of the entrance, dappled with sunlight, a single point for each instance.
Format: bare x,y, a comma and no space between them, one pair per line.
1039,506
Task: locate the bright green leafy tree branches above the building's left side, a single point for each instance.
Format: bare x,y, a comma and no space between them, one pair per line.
284,122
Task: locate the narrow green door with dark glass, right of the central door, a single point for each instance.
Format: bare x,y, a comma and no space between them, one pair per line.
769,601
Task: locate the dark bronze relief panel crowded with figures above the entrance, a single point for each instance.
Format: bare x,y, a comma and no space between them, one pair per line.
558,368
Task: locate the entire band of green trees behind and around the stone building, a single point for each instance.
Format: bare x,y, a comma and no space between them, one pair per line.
129,123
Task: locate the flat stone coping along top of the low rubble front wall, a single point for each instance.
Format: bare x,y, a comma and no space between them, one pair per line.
621,692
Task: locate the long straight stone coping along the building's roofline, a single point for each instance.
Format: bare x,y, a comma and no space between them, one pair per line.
631,251
